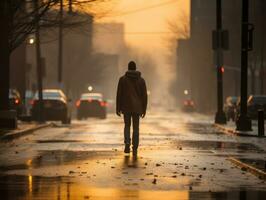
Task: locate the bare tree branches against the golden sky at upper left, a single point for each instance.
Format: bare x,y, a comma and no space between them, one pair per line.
25,17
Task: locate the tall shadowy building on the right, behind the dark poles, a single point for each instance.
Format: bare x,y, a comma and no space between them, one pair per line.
196,67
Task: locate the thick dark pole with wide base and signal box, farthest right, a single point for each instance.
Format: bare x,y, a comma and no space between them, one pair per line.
243,122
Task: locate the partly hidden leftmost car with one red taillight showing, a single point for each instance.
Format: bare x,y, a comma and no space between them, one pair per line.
15,101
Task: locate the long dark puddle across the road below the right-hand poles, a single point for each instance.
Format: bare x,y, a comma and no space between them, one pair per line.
219,145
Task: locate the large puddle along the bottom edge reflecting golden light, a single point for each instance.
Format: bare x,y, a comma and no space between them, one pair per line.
65,188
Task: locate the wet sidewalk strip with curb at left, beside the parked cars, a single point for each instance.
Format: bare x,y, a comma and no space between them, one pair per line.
23,129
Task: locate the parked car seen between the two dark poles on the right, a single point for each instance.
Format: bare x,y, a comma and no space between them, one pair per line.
230,107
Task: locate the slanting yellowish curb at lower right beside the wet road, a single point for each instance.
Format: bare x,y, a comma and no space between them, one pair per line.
245,167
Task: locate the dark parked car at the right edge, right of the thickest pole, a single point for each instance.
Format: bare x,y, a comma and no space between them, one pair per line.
256,102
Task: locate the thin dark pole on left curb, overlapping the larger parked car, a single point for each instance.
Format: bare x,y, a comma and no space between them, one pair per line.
39,64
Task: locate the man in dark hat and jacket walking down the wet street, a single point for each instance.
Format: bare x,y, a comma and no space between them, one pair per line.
131,101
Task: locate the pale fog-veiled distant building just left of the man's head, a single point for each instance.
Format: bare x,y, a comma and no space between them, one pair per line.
109,50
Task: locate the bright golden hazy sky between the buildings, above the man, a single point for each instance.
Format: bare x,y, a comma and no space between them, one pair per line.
146,28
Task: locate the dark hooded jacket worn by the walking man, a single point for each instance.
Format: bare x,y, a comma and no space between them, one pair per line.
131,93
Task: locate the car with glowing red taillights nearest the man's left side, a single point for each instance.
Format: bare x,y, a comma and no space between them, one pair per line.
91,105
